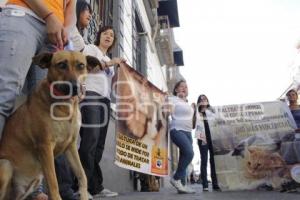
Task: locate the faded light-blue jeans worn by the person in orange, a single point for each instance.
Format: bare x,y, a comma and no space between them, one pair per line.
21,37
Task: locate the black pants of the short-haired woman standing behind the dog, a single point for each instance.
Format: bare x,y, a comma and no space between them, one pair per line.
95,111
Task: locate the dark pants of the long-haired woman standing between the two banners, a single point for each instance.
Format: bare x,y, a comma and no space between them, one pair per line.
204,148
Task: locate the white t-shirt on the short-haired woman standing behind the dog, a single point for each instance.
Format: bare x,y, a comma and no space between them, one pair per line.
101,81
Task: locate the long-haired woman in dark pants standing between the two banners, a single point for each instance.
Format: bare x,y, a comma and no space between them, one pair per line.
205,143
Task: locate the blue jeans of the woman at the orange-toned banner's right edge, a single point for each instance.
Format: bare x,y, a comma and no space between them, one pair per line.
184,142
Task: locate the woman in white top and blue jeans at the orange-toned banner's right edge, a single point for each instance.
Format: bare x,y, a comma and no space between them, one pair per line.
181,125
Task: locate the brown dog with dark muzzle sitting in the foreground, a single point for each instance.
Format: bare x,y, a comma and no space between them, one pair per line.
45,126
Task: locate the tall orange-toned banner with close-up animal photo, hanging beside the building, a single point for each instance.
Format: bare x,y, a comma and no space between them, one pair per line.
141,141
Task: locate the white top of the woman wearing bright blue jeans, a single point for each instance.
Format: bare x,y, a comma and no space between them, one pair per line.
182,115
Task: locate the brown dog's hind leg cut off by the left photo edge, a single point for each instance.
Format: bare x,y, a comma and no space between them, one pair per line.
6,173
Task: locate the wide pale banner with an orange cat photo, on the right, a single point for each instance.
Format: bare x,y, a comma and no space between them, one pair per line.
254,145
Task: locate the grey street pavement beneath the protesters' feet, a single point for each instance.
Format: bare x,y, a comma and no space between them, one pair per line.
171,194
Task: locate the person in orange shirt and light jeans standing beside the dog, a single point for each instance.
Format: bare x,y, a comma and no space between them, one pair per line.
26,27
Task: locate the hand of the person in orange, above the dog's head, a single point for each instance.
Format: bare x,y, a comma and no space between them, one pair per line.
56,31
